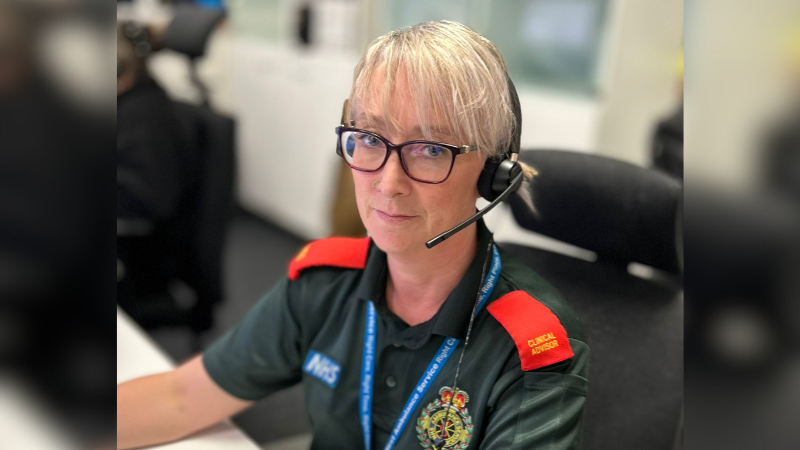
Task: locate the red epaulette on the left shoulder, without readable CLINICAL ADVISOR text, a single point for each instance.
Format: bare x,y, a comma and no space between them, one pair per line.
349,253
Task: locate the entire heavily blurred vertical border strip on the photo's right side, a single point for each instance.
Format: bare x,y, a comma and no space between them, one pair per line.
742,98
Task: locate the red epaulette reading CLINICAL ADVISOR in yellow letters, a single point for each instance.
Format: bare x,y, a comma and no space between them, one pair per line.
540,338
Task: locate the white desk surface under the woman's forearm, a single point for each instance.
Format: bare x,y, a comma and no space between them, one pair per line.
137,356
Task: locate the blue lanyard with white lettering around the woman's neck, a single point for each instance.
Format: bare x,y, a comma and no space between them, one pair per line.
435,366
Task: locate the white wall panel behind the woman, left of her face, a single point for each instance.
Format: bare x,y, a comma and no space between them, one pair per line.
288,103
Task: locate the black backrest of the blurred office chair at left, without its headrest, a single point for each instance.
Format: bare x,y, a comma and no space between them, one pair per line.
200,231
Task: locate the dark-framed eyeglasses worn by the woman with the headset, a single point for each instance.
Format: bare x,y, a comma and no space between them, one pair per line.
423,161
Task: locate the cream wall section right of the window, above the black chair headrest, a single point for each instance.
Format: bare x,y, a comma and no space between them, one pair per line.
638,79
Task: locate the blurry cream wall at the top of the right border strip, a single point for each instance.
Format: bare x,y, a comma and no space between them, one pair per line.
736,84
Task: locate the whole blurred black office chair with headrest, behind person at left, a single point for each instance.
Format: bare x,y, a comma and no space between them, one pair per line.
193,240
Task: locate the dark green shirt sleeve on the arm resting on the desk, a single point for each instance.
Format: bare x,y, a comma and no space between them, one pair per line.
262,354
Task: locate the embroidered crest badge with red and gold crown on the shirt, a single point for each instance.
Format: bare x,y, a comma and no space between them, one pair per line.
443,422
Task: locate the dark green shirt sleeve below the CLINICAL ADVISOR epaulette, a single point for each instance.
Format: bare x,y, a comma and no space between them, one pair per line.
540,409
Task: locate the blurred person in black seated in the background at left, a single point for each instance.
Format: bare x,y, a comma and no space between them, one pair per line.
155,171
